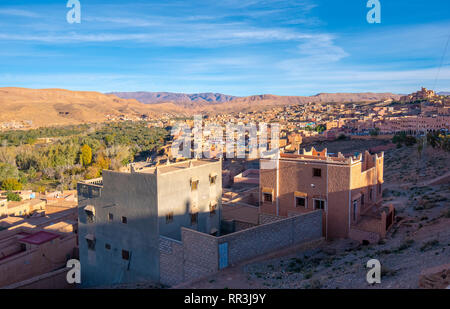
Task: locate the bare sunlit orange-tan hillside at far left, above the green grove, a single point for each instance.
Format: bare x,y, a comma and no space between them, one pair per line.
45,107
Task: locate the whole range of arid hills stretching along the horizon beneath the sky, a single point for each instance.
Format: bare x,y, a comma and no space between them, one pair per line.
48,107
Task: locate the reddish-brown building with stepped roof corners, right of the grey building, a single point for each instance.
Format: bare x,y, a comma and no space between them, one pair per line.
347,189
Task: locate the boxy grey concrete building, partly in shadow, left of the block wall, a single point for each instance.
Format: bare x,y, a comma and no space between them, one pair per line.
123,215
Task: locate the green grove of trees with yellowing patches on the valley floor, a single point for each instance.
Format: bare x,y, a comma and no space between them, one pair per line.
59,157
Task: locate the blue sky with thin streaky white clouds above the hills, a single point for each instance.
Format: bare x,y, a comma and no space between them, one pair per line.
237,47
